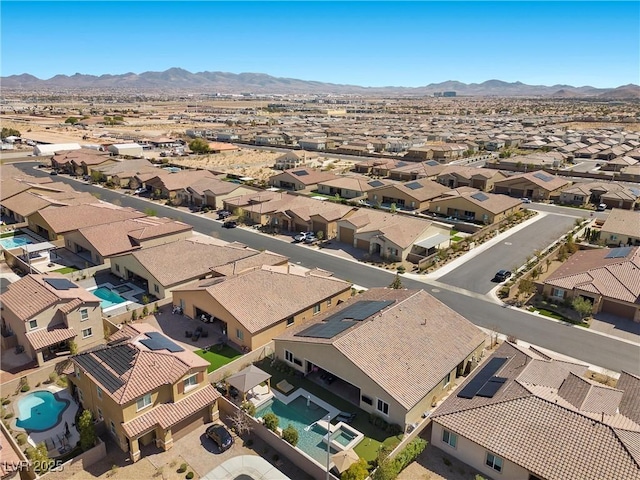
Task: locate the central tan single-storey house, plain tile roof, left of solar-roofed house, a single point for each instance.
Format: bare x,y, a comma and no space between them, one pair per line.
260,303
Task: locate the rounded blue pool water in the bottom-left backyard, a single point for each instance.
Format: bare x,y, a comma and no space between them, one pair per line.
39,411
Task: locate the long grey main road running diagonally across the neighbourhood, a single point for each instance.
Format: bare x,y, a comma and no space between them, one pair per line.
607,352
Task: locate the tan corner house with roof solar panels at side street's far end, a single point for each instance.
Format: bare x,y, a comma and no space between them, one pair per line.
475,206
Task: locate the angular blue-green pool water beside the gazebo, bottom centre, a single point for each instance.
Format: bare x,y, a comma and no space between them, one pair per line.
297,413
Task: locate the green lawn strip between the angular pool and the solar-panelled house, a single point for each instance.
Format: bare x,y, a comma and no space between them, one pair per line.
374,437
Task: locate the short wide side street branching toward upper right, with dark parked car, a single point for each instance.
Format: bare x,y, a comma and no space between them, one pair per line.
476,274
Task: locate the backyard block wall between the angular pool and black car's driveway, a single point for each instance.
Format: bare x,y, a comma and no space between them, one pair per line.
274,441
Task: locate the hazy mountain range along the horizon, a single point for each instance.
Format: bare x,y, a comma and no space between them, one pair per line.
178,79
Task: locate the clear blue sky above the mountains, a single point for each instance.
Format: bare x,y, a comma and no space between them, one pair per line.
361,43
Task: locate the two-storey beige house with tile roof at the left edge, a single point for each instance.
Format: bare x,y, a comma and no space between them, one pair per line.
43,313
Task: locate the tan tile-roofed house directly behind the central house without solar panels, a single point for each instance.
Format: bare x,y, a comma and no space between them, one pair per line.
163,268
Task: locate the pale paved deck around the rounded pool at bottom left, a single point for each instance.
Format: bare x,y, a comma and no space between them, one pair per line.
54,437
